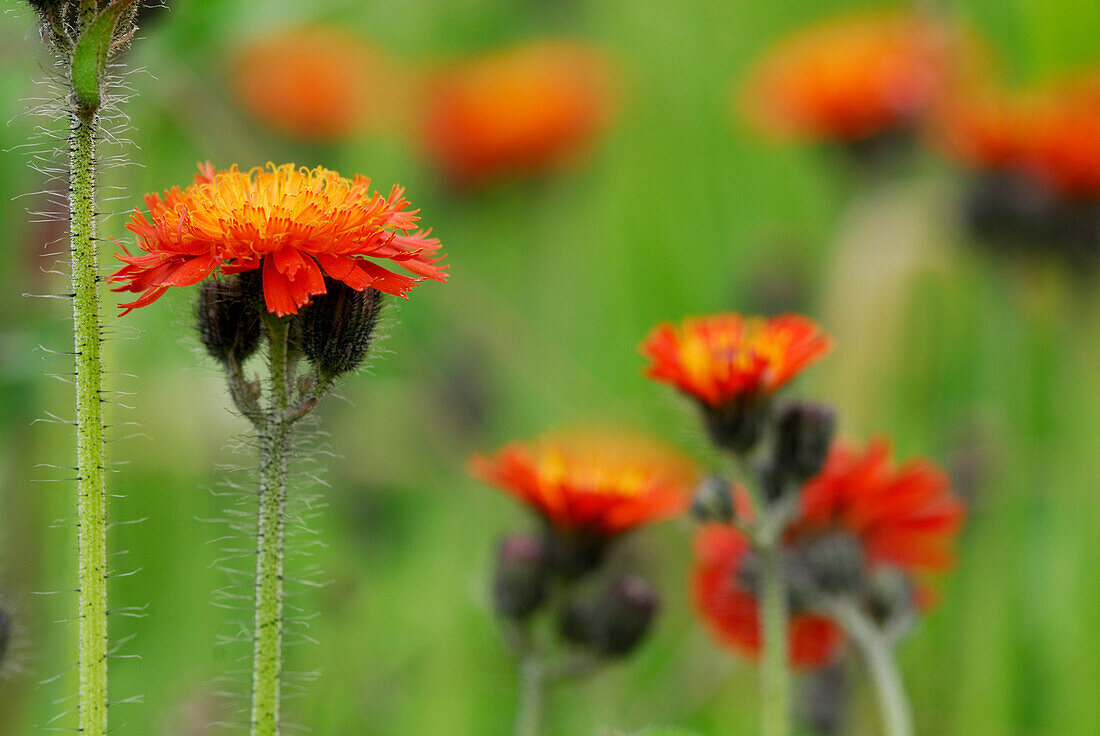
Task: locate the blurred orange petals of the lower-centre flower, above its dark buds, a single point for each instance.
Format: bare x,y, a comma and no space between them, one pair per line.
595,484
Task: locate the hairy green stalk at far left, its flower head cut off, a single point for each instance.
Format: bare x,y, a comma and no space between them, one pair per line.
92,489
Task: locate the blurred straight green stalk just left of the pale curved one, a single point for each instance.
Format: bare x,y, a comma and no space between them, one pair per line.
776,678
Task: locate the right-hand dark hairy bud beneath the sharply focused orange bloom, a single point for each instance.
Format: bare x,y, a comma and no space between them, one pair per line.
337,327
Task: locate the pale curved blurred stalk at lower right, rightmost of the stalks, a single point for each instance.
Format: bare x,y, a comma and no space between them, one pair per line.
877,653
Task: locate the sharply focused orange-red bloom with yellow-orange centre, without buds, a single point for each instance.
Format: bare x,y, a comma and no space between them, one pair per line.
298,226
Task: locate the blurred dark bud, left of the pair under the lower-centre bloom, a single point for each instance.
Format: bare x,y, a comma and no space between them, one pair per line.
521,581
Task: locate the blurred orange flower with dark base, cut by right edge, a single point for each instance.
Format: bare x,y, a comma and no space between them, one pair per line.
1035,158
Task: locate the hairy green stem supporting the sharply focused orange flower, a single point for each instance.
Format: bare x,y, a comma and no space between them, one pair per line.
274,445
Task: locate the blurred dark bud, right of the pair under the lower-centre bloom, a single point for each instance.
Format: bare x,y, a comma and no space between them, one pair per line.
613,620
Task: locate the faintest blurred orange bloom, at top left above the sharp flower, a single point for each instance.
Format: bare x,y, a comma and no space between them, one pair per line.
313,83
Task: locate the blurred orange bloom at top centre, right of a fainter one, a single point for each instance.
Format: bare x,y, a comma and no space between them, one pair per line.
518,112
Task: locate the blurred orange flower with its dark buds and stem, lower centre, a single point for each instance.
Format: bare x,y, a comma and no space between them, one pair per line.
589,489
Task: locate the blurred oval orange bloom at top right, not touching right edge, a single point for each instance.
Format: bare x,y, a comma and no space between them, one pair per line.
851,78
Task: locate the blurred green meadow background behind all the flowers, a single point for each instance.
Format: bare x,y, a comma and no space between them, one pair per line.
985,366
